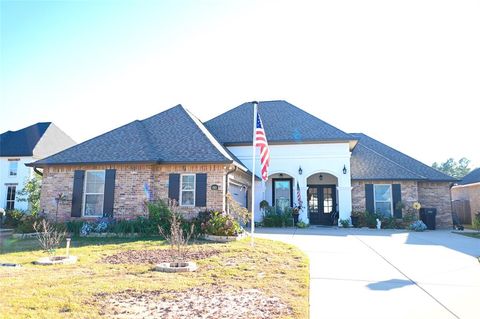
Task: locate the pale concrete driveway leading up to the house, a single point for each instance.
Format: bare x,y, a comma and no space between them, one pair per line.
362,273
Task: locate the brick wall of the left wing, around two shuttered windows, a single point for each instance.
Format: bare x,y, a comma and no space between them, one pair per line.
129,199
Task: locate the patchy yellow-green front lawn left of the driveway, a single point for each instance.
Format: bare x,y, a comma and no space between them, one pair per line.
72,291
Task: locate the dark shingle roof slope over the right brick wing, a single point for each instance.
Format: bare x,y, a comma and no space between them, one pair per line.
376,161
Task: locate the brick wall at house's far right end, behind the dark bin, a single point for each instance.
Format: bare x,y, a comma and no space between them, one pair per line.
437,195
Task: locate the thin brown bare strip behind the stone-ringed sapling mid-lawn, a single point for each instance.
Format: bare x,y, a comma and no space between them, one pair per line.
157,256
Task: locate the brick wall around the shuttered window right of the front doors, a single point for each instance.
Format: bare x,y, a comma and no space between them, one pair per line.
409,192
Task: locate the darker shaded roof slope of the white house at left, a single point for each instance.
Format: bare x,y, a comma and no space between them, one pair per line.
22,142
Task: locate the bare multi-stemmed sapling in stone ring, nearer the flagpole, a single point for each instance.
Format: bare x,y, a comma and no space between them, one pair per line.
177,238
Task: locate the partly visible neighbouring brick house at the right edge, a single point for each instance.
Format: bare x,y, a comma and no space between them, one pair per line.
468,189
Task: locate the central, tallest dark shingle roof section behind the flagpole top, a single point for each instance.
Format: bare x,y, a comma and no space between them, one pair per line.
283,122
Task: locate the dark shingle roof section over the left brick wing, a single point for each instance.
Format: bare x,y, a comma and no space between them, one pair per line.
173,136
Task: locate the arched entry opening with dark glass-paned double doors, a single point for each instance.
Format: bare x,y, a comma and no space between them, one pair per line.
322,199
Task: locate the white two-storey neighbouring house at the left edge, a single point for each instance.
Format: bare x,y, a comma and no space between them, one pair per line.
24,146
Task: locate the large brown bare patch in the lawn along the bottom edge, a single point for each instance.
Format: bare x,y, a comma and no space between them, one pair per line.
204,302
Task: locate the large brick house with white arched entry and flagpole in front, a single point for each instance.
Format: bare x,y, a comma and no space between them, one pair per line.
174,155
